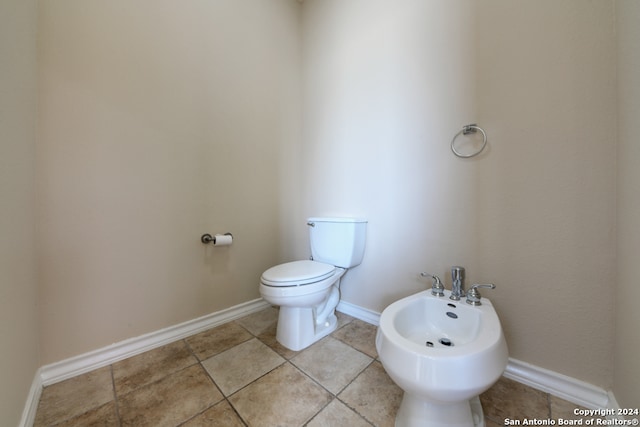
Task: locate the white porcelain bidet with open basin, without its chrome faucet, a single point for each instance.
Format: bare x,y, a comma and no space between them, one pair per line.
443,354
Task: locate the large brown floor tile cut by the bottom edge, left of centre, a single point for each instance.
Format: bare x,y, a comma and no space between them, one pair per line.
170,401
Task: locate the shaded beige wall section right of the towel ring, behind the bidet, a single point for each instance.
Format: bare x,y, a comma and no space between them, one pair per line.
546,215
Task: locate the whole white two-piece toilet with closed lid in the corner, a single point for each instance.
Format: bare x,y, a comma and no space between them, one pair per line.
308,291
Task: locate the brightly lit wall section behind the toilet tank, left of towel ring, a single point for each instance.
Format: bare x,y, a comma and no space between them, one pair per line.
386,87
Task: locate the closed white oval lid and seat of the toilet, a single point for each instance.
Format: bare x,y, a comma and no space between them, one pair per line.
297,273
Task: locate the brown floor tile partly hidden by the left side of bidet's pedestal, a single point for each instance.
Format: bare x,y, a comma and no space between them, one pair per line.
374,396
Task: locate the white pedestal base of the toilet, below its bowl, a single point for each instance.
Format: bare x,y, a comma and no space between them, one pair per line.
297,328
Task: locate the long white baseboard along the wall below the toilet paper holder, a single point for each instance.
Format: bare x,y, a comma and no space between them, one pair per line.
81,364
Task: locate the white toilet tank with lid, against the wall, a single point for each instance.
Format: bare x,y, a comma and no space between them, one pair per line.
337,241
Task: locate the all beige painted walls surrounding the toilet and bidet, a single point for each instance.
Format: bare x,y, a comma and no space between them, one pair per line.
160,123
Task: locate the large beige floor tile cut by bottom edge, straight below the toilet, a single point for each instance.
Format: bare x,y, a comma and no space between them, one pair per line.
283,397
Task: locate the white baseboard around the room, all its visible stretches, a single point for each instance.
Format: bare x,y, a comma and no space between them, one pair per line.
559,385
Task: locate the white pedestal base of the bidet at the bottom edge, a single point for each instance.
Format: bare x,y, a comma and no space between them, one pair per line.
417,412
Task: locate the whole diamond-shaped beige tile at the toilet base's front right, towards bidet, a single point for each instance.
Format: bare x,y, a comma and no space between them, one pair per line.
332,363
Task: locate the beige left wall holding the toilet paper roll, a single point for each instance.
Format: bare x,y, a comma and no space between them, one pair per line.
160,121
